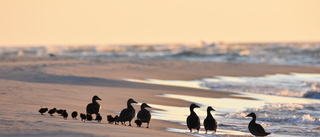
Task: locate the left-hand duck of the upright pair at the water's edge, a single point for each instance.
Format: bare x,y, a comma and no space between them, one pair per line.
193,121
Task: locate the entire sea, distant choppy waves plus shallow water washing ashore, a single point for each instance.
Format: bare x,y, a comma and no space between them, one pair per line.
285,104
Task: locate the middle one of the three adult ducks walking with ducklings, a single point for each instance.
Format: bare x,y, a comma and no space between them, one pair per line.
128,113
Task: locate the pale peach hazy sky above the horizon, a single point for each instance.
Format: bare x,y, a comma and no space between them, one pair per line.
51,22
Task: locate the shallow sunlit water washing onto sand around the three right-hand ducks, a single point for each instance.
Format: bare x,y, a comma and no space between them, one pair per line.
289,114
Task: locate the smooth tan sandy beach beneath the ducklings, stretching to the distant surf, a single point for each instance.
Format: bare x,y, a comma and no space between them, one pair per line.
29,83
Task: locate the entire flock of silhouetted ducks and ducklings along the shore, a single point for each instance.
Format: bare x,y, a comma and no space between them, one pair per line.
144,116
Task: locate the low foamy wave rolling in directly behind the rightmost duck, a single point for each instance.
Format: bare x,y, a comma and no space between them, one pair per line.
282,113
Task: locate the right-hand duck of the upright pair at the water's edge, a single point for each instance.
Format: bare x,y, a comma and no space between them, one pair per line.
209,122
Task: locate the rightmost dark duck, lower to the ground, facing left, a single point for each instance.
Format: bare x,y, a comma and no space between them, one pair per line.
254,128
